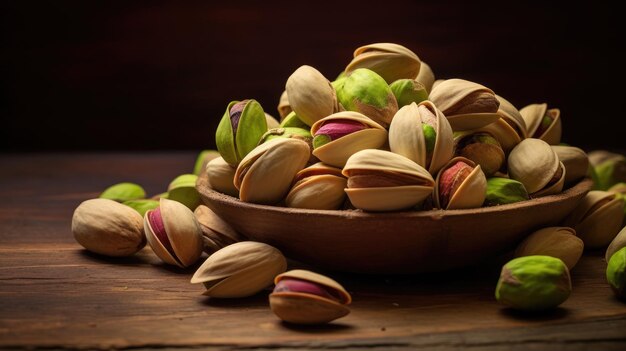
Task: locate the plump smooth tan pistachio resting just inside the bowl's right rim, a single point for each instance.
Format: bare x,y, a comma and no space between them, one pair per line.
533,163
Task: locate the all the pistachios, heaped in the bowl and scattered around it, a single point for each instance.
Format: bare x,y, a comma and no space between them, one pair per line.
383,136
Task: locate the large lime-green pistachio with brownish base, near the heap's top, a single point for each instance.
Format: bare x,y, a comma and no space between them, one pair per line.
366,92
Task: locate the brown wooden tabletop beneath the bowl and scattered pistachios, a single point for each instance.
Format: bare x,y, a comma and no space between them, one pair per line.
54,294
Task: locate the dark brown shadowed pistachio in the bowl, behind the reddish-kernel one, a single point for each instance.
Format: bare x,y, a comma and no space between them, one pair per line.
483,149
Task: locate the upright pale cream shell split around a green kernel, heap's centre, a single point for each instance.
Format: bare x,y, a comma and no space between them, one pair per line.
407,138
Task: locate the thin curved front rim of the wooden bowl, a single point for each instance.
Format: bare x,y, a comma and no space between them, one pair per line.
581,187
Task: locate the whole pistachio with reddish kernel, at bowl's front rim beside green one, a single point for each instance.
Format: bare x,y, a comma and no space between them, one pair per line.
460,184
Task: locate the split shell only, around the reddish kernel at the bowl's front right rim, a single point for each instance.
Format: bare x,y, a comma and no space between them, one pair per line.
469,194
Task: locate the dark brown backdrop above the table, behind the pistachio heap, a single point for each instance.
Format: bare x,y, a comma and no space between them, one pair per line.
92,75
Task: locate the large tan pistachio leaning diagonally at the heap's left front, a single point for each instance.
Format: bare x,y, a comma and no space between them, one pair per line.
265,174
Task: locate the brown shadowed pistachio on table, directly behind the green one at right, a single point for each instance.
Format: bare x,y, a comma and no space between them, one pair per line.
559,242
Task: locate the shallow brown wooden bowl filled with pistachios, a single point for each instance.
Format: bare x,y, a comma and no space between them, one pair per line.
394,242
